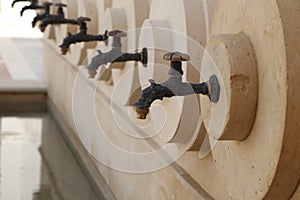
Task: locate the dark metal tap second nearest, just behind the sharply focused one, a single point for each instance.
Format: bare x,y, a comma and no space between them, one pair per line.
116,54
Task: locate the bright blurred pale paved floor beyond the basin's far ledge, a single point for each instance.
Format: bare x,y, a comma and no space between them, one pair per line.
20,45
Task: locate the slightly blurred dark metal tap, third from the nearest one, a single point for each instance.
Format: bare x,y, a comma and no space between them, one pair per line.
81,36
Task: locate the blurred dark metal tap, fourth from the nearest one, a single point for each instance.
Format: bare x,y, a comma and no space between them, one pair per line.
59,18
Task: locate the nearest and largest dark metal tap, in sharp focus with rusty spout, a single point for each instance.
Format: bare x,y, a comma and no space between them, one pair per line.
174,86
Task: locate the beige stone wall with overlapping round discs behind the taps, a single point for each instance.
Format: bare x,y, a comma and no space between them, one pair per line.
264,165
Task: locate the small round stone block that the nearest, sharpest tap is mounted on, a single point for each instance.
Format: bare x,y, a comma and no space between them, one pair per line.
233,111
